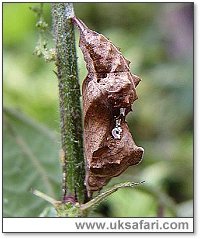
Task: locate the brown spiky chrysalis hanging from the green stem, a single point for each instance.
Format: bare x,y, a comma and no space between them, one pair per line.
108,93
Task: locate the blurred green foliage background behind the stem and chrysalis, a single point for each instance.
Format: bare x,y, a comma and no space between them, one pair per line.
158,40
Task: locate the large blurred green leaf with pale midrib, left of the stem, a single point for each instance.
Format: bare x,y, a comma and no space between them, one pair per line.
30,161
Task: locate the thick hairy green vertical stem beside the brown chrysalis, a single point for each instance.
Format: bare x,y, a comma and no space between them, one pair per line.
70,107
